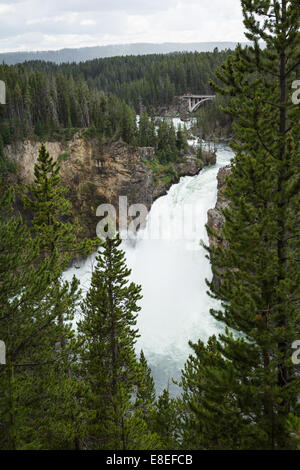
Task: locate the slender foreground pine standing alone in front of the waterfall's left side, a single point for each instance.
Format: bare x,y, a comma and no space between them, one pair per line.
109,366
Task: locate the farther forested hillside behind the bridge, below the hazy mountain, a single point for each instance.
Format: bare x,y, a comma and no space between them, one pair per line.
153,79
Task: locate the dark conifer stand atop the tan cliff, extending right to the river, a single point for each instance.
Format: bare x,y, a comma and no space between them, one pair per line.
54,105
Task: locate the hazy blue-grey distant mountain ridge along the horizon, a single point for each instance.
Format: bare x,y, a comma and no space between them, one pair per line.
89,53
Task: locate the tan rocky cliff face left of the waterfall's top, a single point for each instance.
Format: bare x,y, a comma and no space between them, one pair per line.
96,173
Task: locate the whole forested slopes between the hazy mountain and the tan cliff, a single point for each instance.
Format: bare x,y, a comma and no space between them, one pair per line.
50,101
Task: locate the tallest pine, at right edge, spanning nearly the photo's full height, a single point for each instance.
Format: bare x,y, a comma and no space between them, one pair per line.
259,267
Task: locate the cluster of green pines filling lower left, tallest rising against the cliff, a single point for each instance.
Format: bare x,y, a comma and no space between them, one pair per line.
38,331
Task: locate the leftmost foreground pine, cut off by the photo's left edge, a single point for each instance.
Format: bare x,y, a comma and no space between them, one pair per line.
18,286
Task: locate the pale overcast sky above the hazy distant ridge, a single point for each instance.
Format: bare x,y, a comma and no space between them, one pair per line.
55,24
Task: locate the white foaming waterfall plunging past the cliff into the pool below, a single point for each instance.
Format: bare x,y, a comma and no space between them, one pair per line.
172,271
